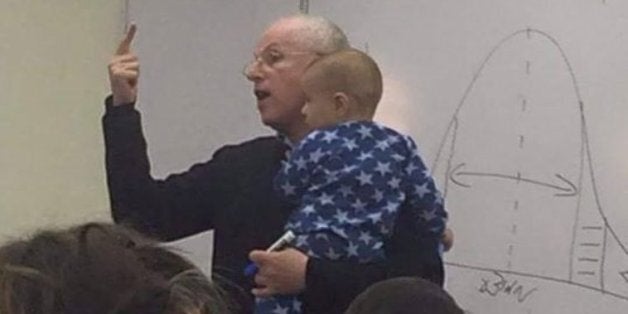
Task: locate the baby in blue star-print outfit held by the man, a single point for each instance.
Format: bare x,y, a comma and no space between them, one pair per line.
349,177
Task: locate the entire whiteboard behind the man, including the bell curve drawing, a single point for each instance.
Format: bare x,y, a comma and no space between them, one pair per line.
519,107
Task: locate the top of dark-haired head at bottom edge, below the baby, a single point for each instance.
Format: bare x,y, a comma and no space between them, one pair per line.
404,295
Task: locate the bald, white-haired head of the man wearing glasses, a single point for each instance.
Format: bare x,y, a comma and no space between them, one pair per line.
285,49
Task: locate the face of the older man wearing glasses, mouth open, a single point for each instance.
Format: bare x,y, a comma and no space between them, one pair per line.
280,60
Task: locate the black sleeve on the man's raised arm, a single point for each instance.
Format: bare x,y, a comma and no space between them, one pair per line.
180,205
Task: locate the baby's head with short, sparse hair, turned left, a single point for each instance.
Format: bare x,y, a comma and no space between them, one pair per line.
343,86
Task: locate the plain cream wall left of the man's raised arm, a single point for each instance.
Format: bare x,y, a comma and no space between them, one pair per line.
53,78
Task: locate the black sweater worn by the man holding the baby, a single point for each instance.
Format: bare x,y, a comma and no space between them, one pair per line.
233,194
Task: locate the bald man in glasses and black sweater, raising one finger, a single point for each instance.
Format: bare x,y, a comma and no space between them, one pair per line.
233,193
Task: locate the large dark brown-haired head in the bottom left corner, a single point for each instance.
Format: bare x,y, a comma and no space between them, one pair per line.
101,268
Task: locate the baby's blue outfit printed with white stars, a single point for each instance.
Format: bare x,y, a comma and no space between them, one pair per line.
349,182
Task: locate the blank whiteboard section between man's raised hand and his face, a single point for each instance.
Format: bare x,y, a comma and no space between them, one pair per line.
192,93
